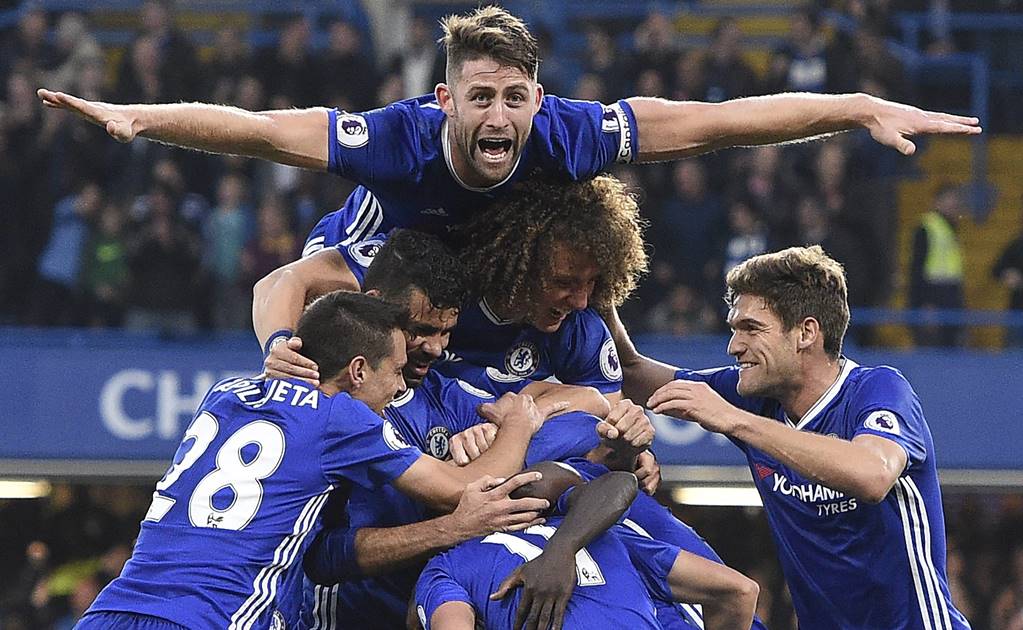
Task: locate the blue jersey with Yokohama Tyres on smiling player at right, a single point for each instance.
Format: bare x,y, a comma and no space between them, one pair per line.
850,564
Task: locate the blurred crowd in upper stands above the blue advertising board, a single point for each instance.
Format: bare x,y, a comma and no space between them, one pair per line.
144,236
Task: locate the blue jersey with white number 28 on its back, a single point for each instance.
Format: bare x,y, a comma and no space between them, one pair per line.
240,505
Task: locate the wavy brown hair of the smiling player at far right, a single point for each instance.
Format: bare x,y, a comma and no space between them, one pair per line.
797,284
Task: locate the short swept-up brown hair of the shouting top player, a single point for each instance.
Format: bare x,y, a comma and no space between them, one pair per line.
490,32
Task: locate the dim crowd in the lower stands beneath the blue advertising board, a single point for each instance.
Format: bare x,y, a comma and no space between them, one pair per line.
57,555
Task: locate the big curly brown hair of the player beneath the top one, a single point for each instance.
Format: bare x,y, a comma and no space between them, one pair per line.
508,250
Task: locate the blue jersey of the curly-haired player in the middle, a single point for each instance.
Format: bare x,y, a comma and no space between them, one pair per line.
581,352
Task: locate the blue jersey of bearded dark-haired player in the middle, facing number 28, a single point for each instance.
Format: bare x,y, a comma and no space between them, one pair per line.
427,418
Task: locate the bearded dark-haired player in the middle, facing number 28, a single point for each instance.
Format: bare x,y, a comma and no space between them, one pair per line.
371,557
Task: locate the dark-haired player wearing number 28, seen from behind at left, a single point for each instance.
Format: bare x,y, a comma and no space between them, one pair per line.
241,502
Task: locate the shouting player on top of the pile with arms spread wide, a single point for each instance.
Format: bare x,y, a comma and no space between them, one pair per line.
431,162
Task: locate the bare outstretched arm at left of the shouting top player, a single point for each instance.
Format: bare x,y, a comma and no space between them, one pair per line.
294,138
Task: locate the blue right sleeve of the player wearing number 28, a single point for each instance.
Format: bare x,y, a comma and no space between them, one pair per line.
359,446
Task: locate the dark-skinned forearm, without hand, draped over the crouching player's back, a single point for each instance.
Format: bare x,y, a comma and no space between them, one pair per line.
593,509
